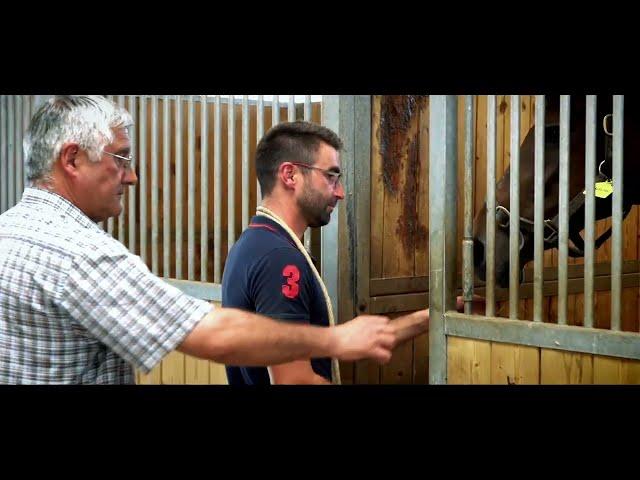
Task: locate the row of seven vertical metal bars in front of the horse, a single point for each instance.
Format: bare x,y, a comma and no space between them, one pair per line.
514,223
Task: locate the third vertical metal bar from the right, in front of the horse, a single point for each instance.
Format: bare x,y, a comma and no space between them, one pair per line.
563,206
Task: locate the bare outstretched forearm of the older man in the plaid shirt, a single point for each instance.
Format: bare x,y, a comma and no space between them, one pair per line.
238,337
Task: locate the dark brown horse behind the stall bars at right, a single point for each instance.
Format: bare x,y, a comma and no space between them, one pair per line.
551,170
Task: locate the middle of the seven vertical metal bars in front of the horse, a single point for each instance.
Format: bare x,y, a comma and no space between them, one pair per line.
538,202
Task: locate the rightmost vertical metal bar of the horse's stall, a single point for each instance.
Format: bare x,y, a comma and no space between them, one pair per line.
616,210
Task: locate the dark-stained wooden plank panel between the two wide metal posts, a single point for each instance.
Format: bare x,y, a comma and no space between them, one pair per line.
399,219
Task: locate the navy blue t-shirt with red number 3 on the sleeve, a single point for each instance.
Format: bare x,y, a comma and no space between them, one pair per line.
267,274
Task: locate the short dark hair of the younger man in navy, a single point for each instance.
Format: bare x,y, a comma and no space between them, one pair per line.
290,141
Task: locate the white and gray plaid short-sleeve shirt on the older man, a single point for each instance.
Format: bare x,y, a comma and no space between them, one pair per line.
75,305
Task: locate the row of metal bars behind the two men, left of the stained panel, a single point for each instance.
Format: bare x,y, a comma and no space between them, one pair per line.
16,111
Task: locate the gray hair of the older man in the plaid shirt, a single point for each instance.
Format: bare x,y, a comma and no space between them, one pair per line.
87,120
